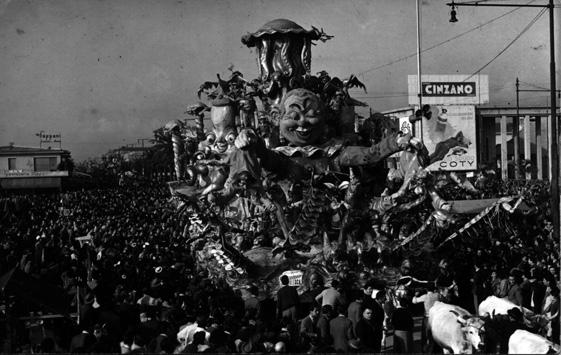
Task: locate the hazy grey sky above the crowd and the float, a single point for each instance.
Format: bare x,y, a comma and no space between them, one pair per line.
105,73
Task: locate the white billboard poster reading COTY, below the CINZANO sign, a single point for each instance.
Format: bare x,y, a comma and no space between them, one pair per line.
450,137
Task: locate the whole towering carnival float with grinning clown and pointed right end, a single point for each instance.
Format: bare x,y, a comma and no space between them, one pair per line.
289,176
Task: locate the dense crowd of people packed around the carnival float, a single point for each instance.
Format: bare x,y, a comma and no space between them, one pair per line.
133,281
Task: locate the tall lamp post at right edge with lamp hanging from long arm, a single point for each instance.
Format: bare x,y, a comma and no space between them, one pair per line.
554,147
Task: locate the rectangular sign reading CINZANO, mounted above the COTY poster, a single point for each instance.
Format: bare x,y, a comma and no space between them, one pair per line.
449,89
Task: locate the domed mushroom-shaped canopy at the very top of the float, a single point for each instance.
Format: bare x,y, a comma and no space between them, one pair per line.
280,27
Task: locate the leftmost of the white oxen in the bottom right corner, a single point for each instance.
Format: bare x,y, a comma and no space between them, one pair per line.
454,329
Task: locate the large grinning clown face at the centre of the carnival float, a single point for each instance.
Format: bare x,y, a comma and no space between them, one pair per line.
303,117
